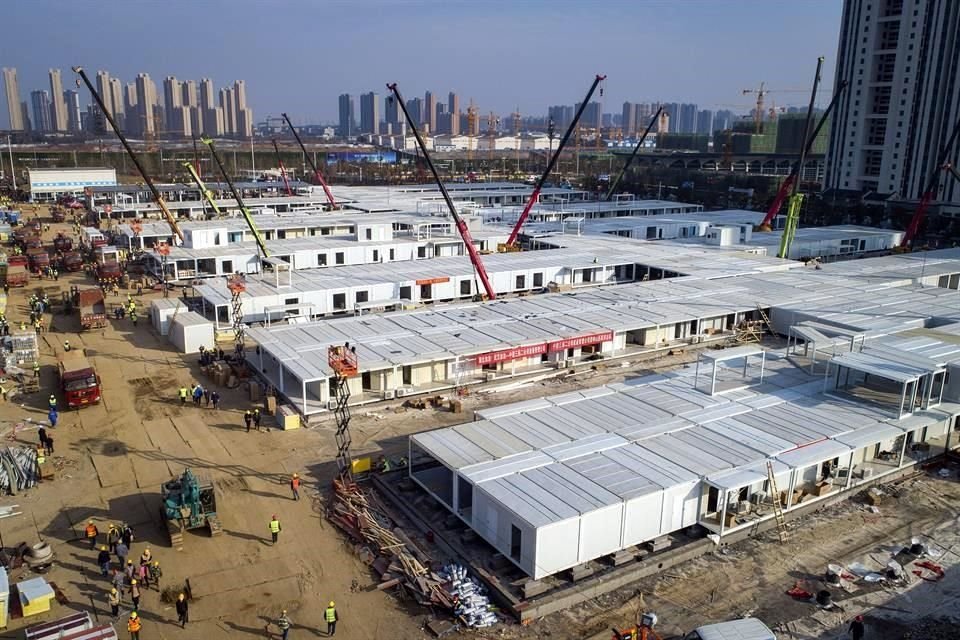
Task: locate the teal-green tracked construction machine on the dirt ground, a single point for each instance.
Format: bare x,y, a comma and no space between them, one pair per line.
187,503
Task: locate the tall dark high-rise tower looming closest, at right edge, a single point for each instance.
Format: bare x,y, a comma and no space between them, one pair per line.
902,60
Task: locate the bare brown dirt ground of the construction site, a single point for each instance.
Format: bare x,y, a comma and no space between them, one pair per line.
112,458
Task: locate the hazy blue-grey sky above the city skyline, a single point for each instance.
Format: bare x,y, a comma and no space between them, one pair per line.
298,56
